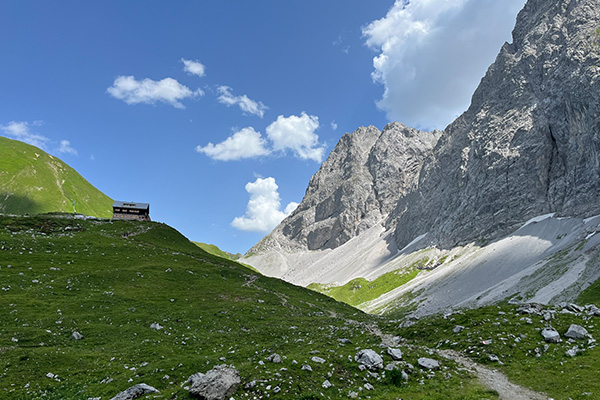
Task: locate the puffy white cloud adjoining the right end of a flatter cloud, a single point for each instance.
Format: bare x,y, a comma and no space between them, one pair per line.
297,134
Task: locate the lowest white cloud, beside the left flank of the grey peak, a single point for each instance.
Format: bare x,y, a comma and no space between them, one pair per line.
263,212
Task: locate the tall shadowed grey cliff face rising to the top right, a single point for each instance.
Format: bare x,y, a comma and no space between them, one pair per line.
529,143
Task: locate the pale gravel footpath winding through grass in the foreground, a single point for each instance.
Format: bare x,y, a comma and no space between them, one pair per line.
493,379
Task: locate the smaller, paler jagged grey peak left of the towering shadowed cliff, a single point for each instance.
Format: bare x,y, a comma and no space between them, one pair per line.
356,187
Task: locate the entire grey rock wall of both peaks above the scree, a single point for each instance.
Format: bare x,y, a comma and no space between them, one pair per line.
529,144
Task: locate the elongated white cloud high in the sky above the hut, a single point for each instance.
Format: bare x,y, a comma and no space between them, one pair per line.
148,91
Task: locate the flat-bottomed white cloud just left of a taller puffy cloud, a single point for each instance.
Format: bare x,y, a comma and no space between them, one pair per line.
246,143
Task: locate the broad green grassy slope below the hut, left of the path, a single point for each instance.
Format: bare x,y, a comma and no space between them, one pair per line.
111,280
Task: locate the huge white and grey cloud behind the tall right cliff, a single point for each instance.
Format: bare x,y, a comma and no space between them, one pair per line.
433,53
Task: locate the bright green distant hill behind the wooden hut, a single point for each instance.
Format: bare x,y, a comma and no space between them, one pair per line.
33,182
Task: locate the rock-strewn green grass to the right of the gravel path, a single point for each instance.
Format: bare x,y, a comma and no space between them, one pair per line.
515,340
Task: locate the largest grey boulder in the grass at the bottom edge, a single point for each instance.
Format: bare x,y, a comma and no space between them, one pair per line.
219,383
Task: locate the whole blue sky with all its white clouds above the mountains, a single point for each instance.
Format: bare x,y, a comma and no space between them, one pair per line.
218,113
